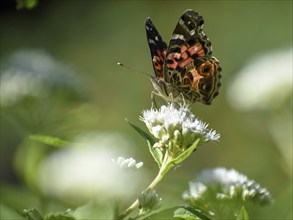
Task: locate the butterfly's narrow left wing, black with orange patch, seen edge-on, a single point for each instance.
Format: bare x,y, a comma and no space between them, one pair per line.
157,48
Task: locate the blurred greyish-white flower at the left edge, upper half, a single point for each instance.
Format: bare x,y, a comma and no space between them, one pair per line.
34,73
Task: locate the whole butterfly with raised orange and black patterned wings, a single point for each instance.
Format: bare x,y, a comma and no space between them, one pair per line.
184,69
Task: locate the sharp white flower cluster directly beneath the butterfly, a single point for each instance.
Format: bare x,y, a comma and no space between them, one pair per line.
174,123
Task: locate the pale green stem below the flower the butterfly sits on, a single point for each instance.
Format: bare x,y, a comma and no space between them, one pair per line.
166,166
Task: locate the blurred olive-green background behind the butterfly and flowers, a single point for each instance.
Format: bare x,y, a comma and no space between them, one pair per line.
87,38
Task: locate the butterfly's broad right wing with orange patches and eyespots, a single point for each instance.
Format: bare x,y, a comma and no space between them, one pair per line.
189,66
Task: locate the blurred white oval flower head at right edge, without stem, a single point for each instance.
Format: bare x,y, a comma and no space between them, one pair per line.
264,83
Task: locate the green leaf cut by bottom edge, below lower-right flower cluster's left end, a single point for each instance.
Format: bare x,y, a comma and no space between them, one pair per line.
189,213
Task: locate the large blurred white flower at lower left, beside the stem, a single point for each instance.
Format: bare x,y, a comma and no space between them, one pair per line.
79,173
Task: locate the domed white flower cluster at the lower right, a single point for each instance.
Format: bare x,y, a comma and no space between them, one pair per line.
226,184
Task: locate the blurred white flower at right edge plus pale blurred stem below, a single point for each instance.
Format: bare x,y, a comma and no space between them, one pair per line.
265,85
